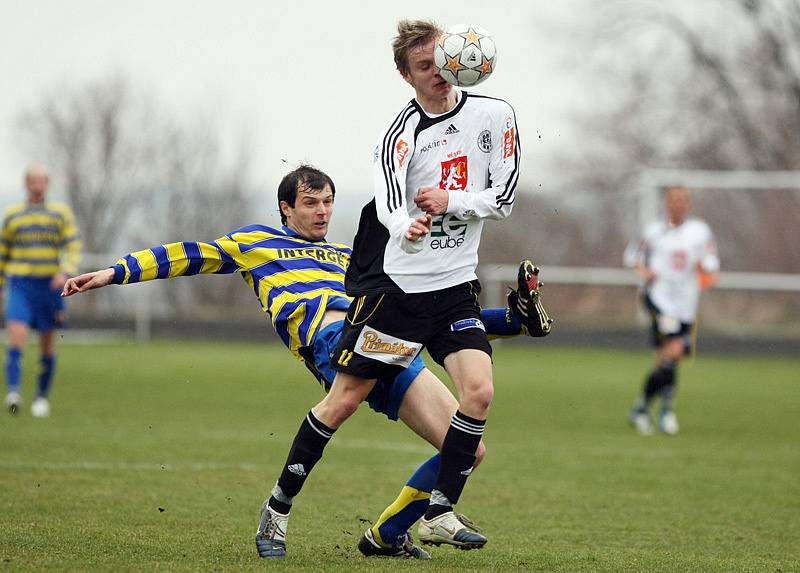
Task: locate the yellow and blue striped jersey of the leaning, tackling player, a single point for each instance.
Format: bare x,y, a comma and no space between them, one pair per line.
296,280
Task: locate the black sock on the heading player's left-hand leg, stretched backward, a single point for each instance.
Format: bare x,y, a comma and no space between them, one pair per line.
310,441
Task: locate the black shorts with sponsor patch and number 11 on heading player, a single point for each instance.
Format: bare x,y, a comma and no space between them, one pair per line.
383,333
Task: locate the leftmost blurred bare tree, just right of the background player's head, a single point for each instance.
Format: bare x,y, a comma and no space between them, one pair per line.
96,141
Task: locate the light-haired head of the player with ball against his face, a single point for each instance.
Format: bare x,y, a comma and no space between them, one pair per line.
413,56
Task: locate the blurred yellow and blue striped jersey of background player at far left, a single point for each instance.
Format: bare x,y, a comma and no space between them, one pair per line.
38,240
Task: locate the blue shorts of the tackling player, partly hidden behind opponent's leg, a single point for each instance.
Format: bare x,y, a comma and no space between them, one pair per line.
387,394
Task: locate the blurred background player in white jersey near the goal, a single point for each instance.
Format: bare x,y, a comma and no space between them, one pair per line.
676,258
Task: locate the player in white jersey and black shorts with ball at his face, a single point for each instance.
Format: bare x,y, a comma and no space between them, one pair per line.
448,161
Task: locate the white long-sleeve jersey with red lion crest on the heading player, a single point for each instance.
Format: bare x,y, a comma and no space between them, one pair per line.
473,152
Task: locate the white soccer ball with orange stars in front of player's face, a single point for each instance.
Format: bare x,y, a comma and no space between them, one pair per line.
465,55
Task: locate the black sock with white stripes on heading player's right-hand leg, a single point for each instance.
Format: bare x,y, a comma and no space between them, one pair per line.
458,458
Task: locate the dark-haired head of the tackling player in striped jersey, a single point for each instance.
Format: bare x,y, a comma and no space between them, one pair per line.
305,200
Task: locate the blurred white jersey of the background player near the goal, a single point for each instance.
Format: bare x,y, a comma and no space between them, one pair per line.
675,254
